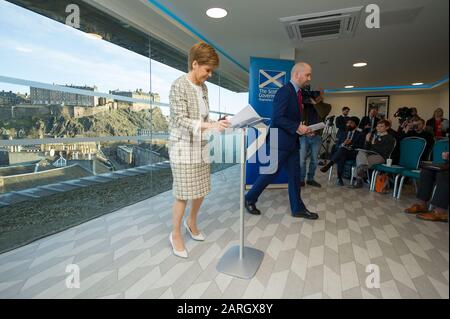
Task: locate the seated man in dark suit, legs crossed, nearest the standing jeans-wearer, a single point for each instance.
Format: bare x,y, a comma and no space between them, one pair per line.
346,148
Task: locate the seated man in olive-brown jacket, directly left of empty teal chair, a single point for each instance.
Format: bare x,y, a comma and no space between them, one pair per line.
378,148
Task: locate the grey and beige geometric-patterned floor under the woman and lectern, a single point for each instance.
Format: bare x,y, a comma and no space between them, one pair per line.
127,254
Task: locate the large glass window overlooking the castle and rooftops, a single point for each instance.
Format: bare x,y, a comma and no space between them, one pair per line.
83,125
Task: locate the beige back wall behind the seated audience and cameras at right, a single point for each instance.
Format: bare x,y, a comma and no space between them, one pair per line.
425,102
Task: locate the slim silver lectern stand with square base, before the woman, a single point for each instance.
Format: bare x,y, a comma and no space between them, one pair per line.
241,261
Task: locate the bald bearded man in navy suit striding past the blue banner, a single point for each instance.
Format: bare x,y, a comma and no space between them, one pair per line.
286,123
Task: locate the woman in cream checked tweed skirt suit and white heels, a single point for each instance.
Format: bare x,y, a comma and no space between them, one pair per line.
188,149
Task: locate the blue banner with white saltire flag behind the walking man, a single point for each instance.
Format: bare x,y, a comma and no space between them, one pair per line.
266,77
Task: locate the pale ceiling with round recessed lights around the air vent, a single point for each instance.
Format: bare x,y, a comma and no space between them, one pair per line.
398,53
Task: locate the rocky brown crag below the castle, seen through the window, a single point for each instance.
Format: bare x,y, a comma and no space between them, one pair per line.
112,123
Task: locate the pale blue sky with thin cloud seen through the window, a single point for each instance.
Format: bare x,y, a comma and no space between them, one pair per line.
33,47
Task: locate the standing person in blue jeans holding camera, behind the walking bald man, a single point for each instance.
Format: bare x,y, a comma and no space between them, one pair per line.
315,111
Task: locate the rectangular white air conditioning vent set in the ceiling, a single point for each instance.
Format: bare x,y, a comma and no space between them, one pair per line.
322,25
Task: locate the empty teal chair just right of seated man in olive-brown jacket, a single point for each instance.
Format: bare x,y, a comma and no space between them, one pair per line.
411,149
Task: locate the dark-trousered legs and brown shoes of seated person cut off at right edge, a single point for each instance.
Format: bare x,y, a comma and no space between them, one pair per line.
428,178
